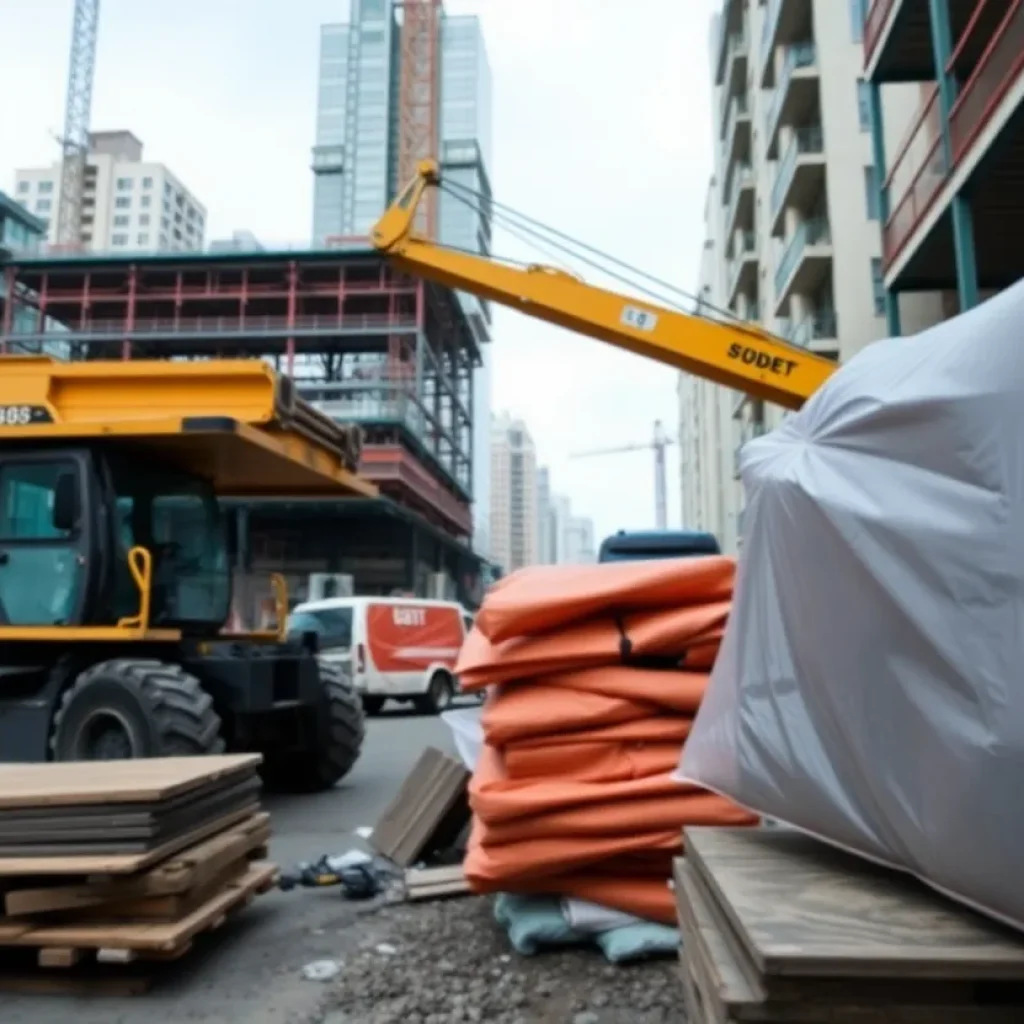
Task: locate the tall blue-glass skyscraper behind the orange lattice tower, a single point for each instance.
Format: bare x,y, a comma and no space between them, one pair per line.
356,160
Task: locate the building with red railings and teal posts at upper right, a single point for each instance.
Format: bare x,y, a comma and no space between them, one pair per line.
952,203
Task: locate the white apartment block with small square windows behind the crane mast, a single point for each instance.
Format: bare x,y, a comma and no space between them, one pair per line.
130,204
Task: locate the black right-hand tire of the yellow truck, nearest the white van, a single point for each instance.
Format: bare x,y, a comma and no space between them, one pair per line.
342,728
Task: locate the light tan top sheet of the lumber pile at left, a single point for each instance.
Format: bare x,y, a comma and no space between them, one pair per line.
65,784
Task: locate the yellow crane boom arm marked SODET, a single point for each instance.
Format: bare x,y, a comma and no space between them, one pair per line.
738,357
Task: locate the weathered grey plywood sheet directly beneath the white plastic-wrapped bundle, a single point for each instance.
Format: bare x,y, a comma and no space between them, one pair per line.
802,909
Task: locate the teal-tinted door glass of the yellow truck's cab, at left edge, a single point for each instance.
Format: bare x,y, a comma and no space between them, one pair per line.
41,575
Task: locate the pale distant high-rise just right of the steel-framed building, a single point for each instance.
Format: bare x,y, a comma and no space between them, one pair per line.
514,526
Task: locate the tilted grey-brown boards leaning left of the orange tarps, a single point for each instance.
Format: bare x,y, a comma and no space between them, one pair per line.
430,812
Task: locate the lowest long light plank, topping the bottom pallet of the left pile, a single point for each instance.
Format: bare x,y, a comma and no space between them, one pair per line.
148,937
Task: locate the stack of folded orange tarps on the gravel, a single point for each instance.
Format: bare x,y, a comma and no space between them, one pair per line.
594,674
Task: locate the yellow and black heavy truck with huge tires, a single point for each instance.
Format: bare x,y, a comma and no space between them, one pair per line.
115,572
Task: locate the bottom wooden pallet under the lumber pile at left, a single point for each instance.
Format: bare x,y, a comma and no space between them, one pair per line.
88,950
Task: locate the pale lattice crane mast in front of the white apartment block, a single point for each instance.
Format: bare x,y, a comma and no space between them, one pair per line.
78,108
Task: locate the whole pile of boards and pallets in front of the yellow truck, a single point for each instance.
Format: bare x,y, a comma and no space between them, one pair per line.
123,863
